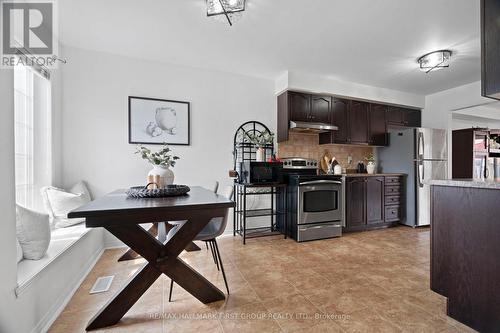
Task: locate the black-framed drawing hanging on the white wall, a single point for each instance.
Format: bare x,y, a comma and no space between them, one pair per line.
157,121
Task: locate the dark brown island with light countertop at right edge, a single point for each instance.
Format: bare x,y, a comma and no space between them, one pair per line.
465,250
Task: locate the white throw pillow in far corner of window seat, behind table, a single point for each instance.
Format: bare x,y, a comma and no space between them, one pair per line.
59,203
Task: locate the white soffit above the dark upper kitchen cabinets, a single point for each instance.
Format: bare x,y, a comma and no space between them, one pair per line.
328,85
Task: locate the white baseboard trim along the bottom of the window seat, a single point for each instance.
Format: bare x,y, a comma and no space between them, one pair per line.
45,324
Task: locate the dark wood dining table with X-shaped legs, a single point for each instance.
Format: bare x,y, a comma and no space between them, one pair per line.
122,215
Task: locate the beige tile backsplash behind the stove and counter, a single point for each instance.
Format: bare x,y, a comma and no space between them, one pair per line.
307,146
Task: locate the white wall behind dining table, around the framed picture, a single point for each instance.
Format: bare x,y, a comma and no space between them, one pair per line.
95,144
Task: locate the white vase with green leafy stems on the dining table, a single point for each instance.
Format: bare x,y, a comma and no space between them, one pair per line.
162,160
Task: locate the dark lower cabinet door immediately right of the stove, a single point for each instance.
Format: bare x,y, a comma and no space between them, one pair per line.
356,202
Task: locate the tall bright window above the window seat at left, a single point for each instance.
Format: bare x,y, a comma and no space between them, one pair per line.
33,141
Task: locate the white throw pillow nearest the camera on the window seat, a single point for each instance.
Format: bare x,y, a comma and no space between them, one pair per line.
33,232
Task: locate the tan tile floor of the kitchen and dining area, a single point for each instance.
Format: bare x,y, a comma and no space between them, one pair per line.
375,281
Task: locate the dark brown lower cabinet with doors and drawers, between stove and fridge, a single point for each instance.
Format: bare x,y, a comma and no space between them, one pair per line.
369,205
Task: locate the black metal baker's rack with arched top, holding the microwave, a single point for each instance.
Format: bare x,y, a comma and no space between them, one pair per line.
245,151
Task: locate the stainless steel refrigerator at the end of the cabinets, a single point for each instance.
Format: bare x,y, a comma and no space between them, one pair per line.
421,153
